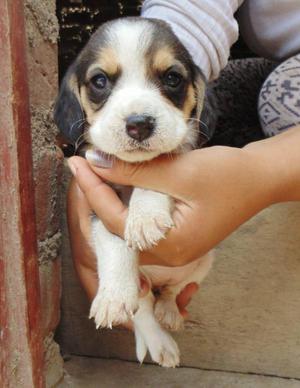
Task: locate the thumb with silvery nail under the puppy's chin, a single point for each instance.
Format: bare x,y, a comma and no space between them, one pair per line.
165,173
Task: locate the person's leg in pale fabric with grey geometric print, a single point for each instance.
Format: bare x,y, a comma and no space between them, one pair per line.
279,99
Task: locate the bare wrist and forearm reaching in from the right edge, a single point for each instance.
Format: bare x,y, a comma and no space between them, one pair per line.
279,158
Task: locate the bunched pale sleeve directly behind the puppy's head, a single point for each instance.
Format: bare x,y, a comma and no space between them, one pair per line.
207,28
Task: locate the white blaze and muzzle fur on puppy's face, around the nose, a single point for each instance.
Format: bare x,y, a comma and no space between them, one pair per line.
134,94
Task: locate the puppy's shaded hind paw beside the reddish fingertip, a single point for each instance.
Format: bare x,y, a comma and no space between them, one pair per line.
168,315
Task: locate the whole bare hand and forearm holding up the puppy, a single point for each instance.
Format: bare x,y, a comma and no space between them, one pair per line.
219,188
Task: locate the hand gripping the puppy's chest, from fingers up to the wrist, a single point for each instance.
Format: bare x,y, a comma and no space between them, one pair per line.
215,190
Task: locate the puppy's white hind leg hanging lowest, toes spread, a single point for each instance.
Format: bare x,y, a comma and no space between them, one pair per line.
150,335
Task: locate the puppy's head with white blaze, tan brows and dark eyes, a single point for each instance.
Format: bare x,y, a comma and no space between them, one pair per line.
136,91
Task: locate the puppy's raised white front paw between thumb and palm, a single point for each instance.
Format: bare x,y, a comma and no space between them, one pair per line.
146,226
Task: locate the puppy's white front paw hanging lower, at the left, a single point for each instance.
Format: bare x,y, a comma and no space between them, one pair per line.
114,307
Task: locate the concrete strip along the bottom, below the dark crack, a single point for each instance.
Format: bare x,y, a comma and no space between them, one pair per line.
96,373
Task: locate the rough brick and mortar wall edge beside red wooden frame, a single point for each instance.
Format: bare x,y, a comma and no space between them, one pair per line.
42,33
